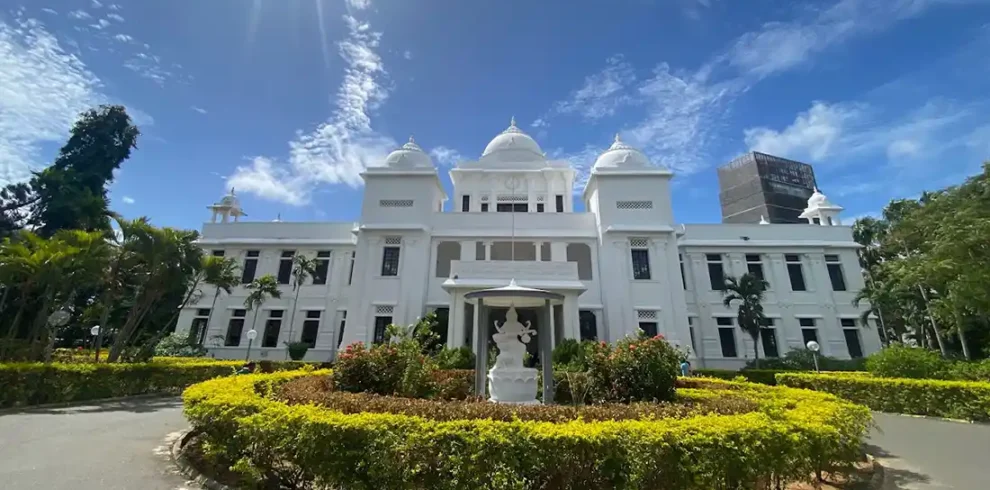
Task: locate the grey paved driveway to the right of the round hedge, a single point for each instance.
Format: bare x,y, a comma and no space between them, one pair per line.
926,454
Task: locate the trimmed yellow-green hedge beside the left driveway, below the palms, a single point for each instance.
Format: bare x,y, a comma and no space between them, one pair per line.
36,383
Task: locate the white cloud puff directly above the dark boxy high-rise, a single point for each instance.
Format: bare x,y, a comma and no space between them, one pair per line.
811,136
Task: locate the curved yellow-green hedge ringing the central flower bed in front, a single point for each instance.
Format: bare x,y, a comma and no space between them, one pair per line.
793,434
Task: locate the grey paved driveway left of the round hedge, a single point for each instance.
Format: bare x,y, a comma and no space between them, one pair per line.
101,446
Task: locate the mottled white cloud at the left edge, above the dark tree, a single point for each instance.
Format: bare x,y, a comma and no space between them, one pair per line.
43,90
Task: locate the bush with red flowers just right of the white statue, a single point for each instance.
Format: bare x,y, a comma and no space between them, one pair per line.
633,370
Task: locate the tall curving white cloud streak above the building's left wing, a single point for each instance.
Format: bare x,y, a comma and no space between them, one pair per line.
339,149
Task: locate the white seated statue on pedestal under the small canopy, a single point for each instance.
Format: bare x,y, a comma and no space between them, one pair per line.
508,380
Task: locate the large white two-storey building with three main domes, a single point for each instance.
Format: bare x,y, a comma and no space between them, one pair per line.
622,265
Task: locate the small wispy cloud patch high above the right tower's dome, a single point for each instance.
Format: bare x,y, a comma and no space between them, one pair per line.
602,93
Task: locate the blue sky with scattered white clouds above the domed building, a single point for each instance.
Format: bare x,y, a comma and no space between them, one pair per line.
288,100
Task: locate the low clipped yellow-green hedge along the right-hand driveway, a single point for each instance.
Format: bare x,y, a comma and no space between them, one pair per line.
952,399
